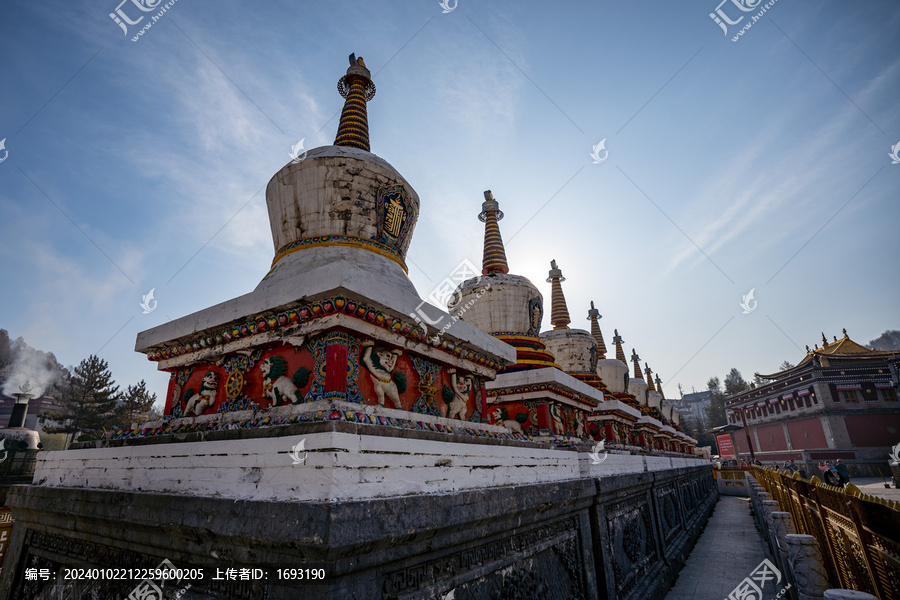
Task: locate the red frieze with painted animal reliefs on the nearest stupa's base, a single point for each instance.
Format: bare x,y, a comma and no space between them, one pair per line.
332,366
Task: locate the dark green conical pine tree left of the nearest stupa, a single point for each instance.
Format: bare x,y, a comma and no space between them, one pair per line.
88,399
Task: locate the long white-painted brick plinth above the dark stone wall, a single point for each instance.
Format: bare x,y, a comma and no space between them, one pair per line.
335,465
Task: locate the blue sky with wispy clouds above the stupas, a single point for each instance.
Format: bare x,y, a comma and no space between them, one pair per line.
758,164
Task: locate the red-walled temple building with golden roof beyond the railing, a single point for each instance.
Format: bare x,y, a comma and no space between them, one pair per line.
840,402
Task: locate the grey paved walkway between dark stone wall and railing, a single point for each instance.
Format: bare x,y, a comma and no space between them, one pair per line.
727,552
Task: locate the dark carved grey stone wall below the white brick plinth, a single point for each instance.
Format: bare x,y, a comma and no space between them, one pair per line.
623,536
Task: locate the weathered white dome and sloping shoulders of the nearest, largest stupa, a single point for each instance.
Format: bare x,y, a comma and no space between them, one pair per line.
324,216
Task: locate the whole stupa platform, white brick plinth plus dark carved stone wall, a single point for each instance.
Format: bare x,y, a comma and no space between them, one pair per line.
620,529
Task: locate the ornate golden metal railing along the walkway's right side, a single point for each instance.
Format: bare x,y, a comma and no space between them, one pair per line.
858,534
